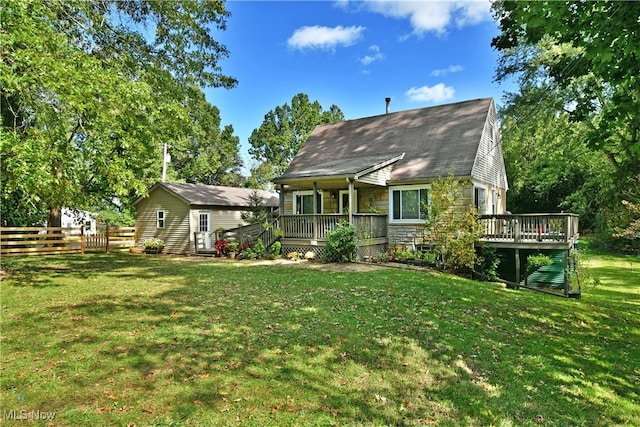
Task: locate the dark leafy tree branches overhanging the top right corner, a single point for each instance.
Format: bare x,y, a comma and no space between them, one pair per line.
600,65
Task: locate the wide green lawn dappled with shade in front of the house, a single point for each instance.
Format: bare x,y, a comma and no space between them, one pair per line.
153,340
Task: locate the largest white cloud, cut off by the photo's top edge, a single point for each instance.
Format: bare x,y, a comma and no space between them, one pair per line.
430,16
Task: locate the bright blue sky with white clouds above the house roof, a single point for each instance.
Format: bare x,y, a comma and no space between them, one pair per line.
353,54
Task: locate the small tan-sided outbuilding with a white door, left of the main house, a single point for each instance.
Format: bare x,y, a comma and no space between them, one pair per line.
176,213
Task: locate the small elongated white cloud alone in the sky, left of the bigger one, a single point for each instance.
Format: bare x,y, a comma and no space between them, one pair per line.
319,37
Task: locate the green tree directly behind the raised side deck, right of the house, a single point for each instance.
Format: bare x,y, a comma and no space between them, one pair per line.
549,167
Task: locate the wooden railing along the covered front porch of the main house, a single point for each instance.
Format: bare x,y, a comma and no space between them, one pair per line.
317,227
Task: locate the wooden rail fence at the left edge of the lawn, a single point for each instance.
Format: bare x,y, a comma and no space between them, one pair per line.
57,240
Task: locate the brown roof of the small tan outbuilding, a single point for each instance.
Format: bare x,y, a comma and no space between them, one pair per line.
214,195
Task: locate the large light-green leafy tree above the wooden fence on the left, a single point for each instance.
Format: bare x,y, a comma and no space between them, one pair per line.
90,91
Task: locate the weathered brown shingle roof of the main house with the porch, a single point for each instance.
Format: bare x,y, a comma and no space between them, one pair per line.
434,141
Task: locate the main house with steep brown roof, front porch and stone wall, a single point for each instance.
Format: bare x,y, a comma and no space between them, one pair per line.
376,172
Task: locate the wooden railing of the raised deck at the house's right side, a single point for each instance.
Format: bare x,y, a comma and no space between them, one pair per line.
549,228
